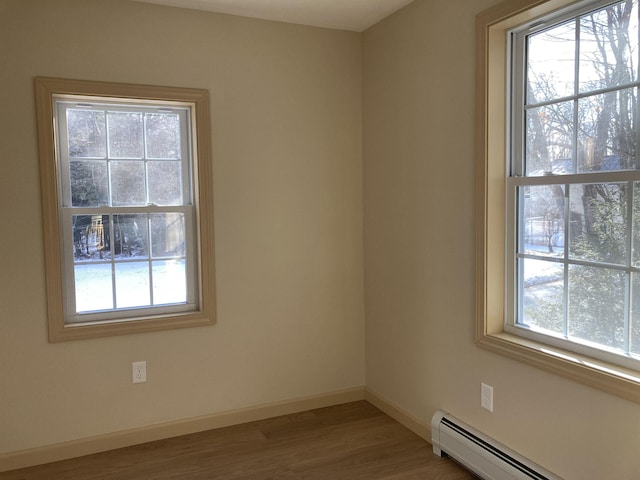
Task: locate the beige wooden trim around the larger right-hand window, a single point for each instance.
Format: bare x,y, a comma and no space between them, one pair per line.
491,173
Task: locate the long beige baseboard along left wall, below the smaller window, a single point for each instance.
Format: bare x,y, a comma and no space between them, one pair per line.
126,438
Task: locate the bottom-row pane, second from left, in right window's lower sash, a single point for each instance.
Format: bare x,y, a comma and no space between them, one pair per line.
596,305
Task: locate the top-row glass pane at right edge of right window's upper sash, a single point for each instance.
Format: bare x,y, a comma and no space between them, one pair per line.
608,46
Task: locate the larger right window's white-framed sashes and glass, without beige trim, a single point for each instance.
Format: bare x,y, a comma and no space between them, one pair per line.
573,182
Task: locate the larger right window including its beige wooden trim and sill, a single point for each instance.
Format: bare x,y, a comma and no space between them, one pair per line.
559,188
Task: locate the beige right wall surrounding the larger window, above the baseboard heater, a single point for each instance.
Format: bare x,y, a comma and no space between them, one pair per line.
418,104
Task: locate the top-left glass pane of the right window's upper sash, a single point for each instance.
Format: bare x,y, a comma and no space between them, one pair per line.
551,63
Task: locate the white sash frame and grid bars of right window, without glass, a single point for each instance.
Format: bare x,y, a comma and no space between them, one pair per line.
518,183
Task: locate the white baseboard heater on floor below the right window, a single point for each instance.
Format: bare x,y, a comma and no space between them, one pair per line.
480,454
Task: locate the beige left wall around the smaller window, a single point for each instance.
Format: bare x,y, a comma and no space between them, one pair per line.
286,115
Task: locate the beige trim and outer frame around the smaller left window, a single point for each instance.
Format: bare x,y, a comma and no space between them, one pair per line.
203,313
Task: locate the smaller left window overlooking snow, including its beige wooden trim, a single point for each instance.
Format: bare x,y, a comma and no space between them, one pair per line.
127,207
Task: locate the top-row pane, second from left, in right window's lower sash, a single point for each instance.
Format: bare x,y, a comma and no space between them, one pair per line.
598,222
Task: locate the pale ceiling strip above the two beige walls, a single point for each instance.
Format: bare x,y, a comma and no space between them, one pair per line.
355,15
